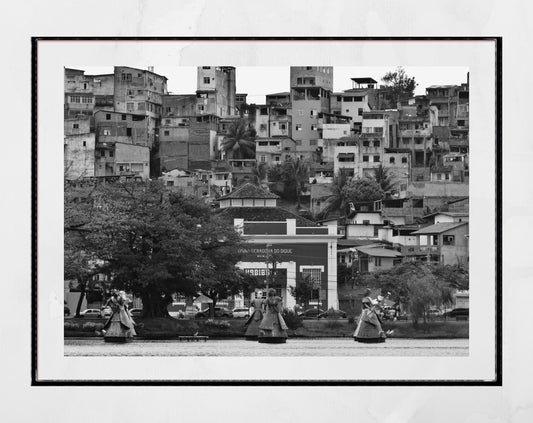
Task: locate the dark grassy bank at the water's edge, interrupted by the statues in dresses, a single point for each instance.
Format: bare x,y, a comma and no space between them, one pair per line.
168,328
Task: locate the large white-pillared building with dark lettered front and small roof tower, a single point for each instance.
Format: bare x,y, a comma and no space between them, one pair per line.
281,248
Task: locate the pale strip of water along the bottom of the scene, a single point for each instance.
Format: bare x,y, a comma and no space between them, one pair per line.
298,347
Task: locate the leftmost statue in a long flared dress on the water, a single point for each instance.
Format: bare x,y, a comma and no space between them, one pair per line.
120,327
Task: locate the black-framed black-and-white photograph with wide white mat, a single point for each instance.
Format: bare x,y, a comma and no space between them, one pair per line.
354,197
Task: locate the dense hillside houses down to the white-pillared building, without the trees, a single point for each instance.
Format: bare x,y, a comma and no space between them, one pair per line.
127,125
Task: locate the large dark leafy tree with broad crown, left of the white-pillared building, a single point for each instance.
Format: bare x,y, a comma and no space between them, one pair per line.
152,242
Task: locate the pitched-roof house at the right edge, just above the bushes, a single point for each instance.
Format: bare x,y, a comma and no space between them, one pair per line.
443,243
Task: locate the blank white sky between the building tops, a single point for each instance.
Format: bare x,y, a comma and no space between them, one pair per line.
257,81
